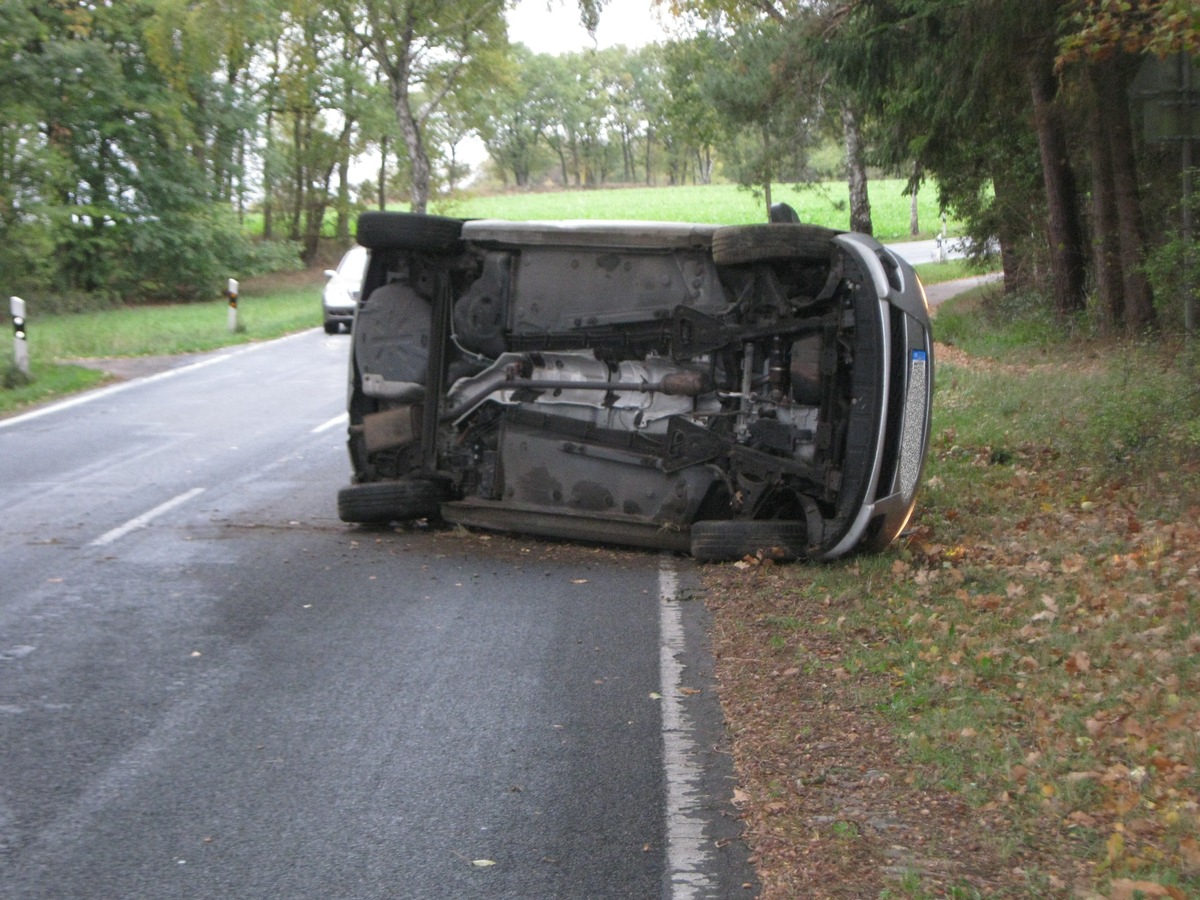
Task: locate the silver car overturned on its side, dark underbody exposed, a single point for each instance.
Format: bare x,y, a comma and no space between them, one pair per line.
722,391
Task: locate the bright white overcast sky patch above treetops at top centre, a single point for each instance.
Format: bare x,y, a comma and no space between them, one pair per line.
557,31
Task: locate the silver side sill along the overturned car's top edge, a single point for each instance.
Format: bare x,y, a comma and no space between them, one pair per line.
591,233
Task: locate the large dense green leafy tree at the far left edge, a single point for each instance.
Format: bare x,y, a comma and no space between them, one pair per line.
119,205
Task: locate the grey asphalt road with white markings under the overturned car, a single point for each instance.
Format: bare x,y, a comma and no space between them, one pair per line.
212,688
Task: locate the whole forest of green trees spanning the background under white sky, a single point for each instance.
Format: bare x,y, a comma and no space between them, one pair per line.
151,147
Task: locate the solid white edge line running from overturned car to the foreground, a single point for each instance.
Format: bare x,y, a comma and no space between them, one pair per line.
687,845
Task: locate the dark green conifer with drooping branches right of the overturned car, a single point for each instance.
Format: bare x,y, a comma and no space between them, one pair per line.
953,88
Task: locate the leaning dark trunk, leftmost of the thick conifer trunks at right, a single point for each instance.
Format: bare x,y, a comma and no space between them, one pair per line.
1065,233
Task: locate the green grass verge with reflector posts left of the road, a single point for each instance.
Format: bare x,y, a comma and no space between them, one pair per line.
268,308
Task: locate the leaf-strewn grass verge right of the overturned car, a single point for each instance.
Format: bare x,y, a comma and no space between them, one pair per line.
1031,646
